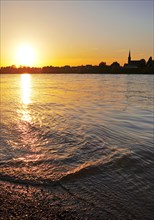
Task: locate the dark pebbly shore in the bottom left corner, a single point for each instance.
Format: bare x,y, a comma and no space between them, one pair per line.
24,202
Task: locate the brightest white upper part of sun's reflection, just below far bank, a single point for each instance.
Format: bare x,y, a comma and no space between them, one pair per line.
26,88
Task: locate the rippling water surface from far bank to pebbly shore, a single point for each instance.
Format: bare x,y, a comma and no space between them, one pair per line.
91,135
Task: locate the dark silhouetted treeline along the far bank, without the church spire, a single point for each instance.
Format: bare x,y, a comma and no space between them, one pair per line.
102,68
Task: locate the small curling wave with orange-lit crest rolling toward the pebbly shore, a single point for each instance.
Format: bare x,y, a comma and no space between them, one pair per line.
46,171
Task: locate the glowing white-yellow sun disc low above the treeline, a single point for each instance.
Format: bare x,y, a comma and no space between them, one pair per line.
25,55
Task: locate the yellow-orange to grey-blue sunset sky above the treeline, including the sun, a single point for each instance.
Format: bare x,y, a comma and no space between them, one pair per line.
40,33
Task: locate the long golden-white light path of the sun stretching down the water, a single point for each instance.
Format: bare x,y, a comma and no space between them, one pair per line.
28,137
